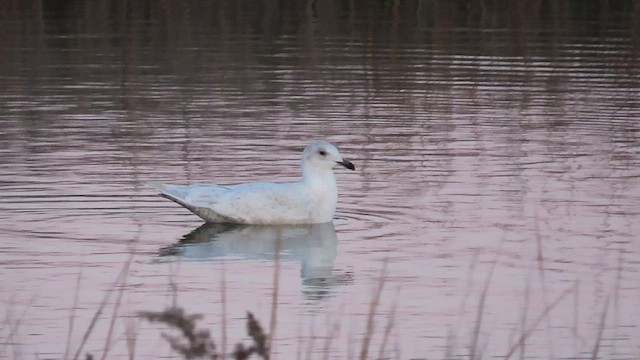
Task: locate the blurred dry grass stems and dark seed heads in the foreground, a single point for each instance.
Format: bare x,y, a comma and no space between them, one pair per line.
190,341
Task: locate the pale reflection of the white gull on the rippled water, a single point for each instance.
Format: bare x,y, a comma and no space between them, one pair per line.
314,245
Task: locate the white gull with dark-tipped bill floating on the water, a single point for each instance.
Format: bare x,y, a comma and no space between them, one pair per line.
312,200
